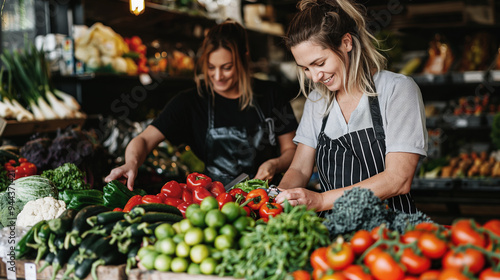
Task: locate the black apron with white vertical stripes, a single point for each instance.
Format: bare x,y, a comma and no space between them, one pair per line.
355,157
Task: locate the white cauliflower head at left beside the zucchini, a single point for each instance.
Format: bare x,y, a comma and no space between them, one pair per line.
45,208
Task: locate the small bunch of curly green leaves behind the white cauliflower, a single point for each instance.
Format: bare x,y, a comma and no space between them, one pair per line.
67,176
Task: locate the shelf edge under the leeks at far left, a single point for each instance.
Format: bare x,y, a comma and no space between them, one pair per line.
15,128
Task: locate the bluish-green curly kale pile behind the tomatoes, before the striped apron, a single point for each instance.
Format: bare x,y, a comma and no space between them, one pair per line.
359,208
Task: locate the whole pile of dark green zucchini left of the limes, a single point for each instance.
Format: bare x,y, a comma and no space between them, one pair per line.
82,240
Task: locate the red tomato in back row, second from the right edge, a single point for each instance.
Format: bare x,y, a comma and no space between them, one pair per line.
463,232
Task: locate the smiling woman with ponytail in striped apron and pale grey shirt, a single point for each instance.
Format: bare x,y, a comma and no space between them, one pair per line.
362,126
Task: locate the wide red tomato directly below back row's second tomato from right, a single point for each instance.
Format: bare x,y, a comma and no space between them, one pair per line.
471,258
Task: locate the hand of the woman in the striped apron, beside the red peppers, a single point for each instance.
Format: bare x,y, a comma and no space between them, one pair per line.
296,196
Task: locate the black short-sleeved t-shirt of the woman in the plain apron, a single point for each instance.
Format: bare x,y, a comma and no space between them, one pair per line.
184,120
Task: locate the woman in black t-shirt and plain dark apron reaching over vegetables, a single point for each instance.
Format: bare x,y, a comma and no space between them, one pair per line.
234,123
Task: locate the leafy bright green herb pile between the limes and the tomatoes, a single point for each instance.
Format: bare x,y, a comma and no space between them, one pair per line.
272,250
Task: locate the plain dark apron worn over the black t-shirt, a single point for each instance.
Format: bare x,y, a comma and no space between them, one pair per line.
234,150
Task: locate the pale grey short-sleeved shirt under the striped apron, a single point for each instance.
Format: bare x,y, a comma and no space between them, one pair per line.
402,110
